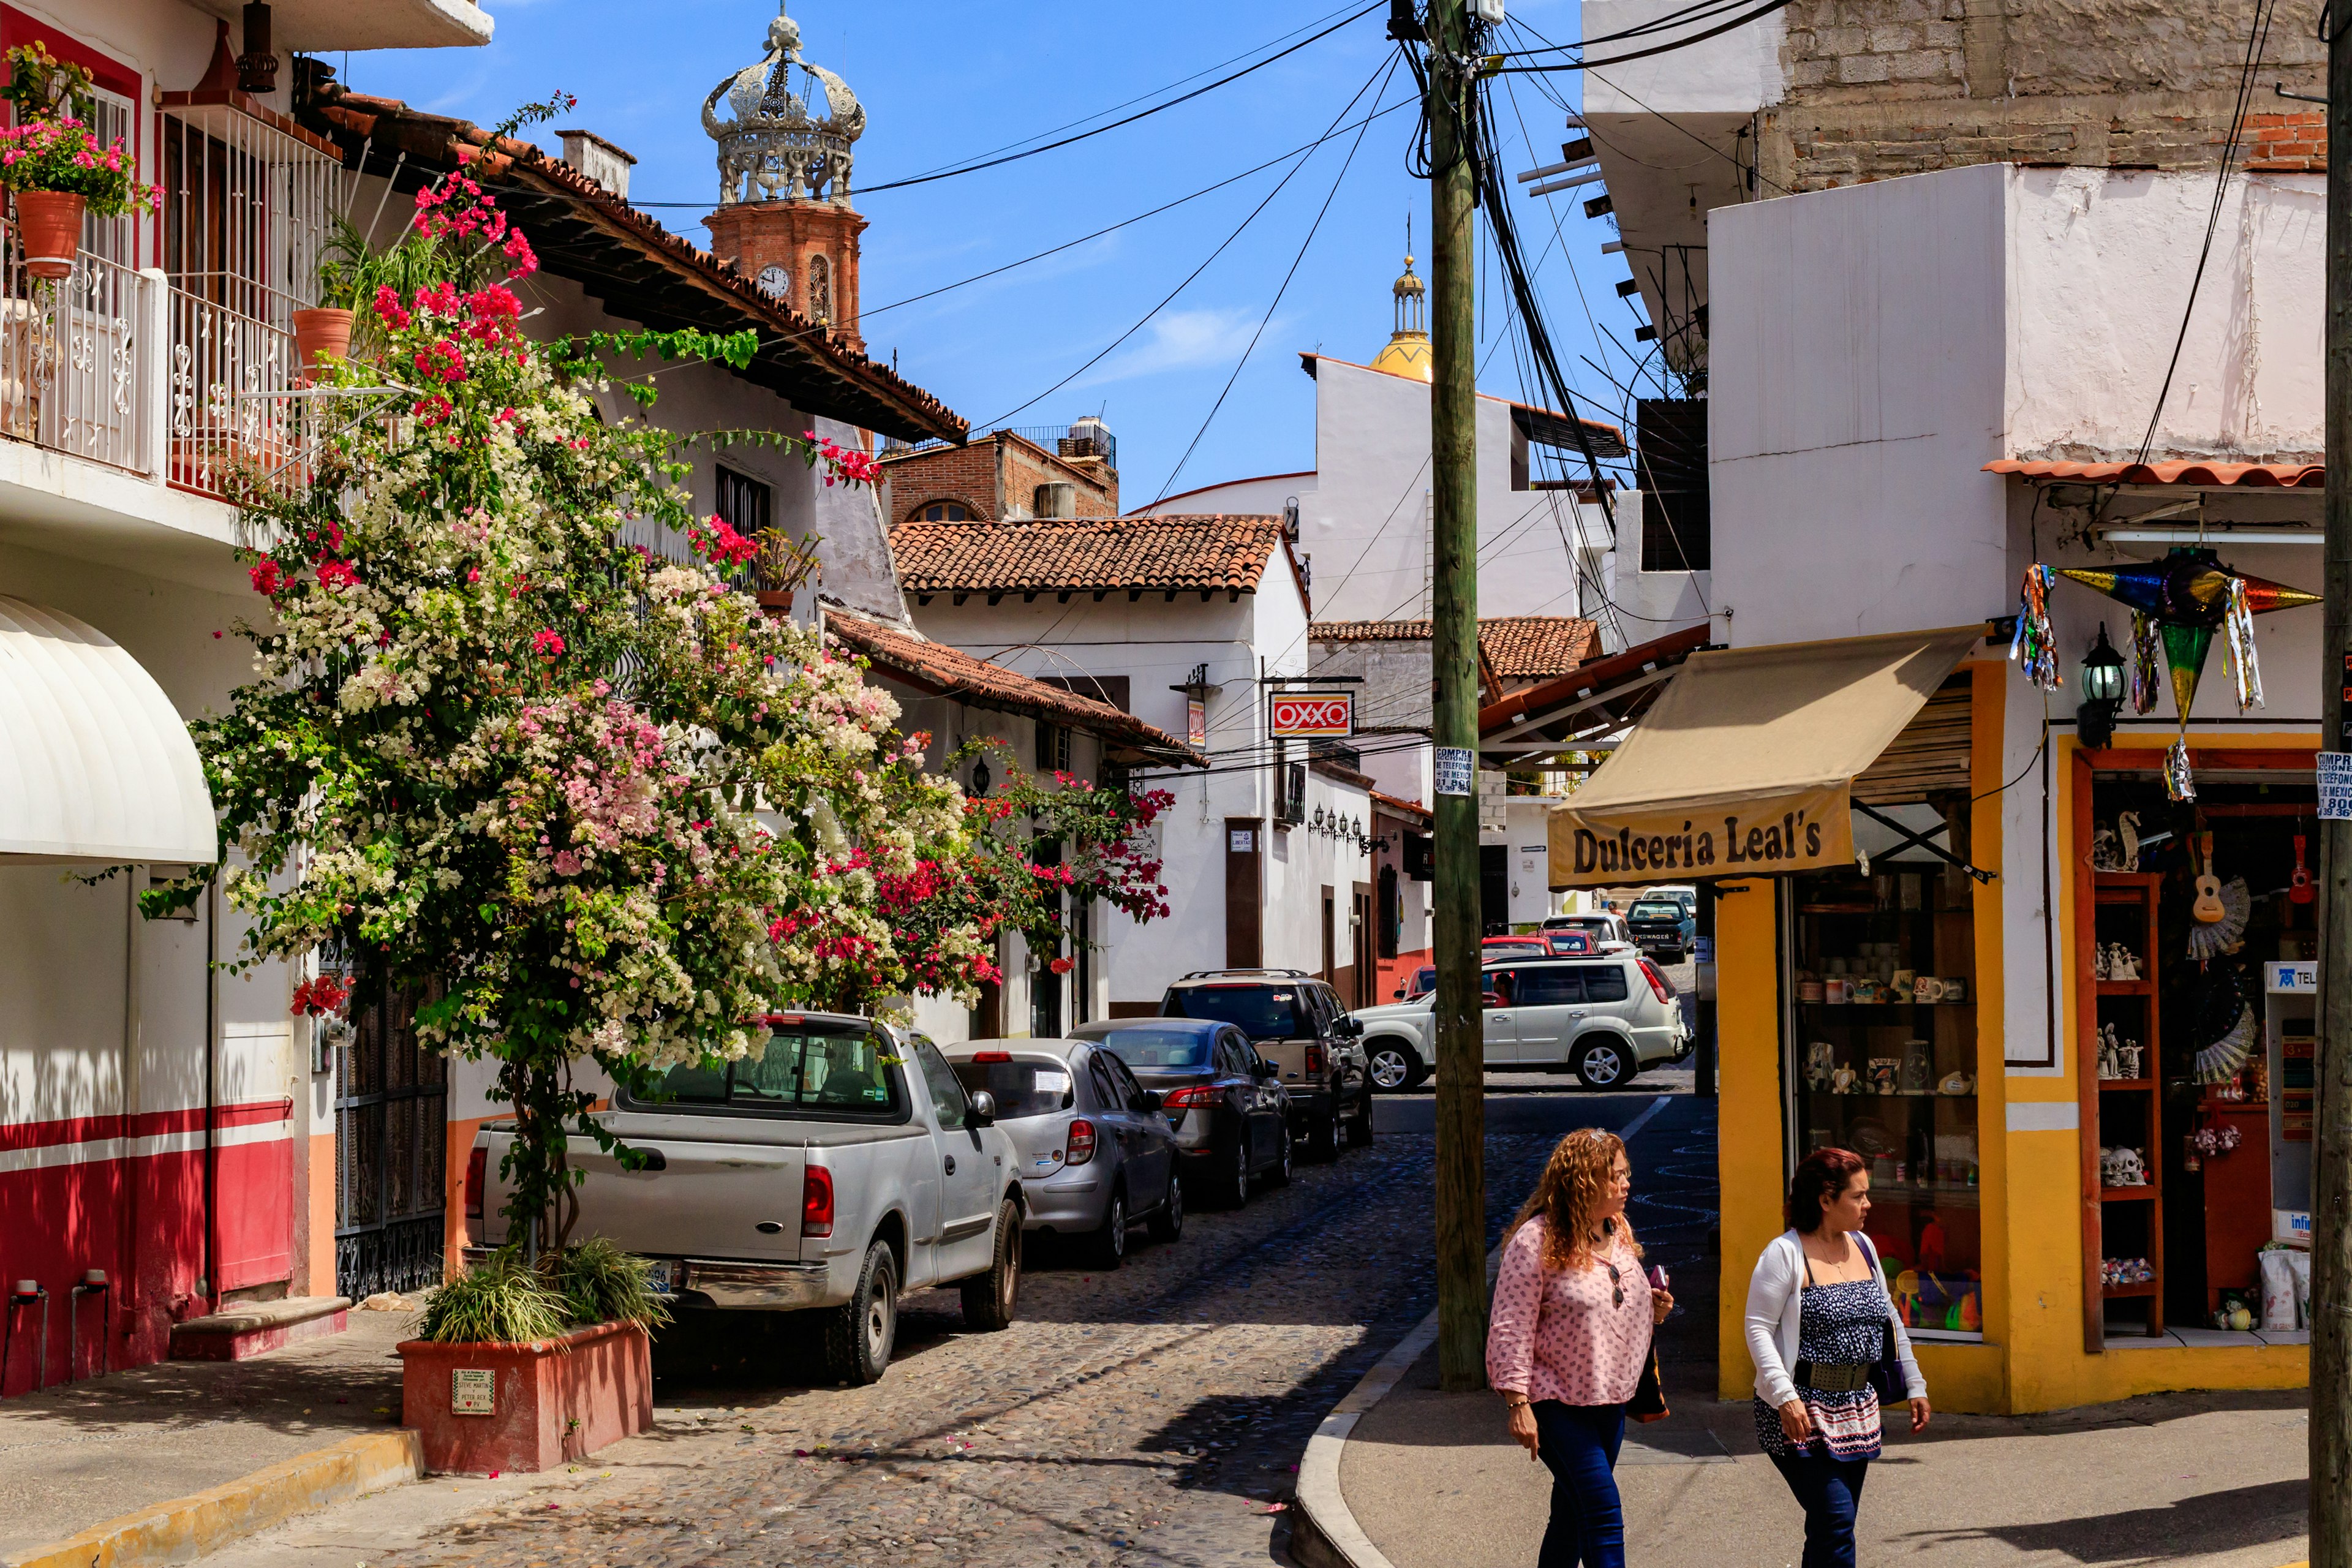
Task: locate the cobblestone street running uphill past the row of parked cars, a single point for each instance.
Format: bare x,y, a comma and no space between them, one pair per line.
1144,1416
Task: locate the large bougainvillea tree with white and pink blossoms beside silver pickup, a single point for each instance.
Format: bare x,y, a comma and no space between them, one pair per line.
594,798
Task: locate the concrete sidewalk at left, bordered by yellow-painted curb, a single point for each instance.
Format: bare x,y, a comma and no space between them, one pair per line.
91,1452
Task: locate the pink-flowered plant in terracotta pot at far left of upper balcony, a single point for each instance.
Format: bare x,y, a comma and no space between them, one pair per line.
55,166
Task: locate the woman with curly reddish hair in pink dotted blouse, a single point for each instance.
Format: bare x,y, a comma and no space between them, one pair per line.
1570,1336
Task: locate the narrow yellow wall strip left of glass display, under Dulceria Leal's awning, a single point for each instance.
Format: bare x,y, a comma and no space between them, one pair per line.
1749,1108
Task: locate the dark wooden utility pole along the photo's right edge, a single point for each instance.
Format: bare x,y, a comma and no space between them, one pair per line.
2332,1195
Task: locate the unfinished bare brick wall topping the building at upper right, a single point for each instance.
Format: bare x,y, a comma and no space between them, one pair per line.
1883,88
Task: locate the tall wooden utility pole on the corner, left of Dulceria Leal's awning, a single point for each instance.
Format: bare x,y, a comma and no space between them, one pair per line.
1462,1031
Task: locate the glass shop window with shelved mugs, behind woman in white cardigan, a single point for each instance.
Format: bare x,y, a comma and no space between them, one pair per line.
1883,1061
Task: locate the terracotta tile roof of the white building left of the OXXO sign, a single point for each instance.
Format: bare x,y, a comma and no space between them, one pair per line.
1088,554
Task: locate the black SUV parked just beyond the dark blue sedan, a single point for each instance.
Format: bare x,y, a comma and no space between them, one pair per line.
1307,1033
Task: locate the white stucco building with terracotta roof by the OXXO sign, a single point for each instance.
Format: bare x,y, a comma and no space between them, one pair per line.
1191,624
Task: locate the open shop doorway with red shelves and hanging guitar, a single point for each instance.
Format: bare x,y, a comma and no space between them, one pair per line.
2205,932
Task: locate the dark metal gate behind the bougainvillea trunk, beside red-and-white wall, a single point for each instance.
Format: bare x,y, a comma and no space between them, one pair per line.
392,1125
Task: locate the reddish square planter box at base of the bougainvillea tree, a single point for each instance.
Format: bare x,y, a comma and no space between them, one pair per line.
526,1407
